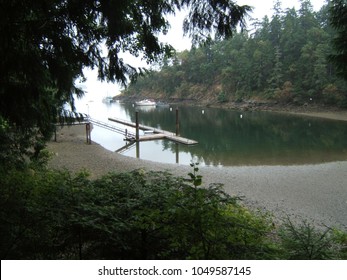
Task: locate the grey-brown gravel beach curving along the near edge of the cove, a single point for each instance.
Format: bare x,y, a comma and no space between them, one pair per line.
314,192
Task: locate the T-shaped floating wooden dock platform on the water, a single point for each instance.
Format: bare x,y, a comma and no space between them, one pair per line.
155,133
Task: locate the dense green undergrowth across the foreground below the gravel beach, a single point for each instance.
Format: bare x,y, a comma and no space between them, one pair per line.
48,214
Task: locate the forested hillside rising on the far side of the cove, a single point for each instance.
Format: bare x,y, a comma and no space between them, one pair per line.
283,59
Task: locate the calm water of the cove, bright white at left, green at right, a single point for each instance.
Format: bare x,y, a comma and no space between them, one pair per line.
226,137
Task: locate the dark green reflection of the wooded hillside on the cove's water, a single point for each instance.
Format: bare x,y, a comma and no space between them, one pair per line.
257,138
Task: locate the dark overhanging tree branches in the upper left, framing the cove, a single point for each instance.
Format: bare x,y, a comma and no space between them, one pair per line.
45,45
